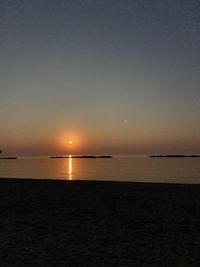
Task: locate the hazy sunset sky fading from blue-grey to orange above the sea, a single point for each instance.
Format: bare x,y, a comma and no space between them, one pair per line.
113,76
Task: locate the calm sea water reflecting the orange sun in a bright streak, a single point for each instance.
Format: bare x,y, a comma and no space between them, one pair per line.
140,169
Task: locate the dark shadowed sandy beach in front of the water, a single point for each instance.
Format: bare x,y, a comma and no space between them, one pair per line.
60,223
